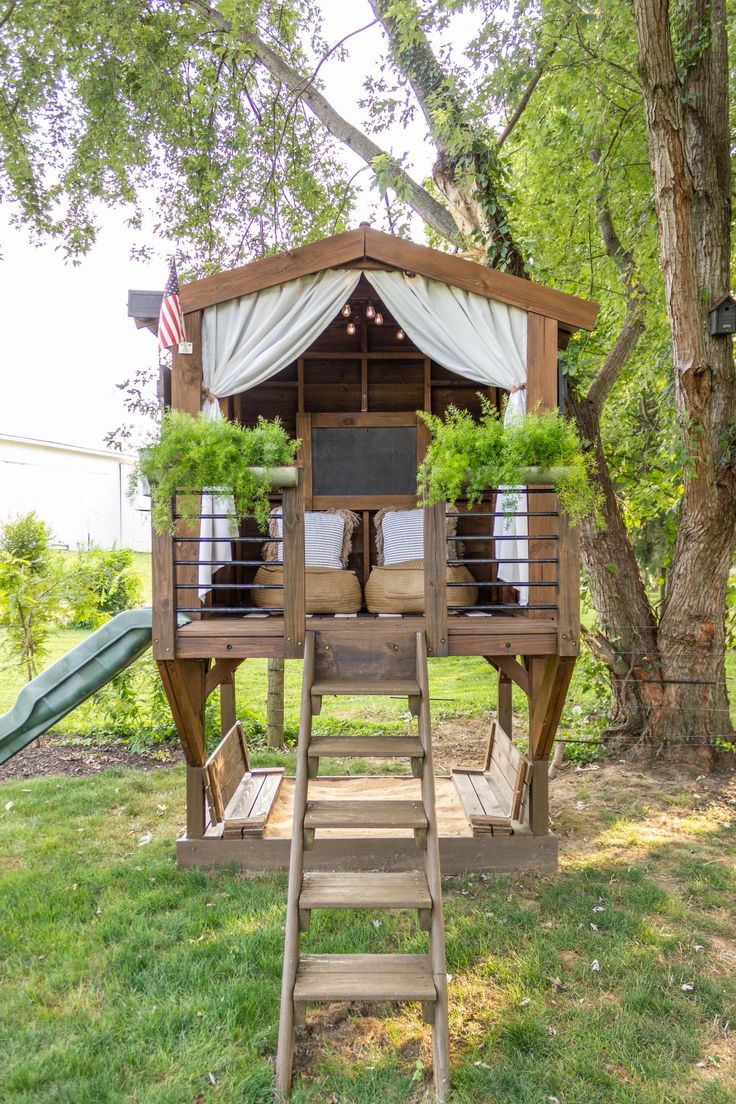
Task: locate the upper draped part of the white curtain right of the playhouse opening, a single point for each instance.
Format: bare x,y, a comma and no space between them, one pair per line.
467,334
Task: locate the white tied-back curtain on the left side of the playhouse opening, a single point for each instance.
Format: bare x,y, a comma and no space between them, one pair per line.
244,343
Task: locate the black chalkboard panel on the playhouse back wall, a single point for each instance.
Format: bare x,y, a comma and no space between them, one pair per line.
365,461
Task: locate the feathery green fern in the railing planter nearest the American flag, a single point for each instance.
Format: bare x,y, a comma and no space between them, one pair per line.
193,455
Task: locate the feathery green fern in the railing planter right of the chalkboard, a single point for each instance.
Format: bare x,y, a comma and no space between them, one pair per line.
465,458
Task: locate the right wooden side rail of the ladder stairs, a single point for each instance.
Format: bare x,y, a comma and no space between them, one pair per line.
441,1035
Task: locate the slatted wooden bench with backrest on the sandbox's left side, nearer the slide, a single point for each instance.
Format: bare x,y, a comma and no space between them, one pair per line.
240,799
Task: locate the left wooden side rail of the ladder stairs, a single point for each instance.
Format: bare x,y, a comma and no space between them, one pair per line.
285,1053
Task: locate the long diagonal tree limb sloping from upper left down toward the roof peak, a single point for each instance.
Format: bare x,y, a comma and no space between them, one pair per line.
425,205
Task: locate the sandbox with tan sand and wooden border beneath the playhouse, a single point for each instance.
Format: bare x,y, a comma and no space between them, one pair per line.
371,848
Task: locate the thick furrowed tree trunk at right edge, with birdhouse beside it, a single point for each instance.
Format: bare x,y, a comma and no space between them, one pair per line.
689,147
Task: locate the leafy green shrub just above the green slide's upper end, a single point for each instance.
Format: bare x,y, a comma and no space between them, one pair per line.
112,586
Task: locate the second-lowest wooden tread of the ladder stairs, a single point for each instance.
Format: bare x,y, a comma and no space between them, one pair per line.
347,890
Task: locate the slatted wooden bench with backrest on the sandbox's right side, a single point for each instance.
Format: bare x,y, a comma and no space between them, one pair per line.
495,798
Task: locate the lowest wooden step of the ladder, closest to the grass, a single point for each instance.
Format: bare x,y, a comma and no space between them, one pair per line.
365,978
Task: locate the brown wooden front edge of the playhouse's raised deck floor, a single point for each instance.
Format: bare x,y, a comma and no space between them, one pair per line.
263,638
